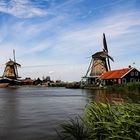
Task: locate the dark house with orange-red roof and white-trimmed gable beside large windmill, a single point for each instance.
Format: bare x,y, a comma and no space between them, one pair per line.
120,76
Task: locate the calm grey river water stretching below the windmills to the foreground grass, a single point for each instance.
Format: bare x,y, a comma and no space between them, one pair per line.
35,113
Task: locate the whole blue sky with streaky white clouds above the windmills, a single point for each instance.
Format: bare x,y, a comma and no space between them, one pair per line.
56,38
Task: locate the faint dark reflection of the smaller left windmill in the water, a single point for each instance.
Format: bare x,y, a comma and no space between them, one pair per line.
9,115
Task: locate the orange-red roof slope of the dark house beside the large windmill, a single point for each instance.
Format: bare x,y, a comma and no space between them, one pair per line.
115,73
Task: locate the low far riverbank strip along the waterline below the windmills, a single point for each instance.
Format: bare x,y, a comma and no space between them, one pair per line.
133,87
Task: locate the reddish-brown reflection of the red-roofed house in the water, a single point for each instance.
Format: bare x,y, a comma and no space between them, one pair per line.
106,96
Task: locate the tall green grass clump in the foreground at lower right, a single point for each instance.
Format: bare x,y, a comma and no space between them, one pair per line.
104,122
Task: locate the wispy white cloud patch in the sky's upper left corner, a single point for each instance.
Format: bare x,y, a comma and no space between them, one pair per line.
21,9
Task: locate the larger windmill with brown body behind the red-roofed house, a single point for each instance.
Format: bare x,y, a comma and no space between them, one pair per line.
100,63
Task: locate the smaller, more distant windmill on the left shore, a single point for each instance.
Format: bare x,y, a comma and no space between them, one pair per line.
11,71
